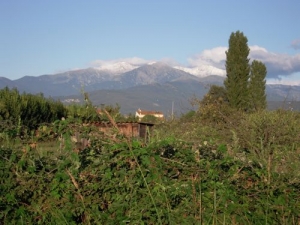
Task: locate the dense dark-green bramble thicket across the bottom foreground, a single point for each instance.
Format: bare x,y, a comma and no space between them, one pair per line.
115,180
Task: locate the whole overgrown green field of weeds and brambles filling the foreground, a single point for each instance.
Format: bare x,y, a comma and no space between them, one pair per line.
229,168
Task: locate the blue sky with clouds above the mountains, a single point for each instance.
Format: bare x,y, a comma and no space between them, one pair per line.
47,37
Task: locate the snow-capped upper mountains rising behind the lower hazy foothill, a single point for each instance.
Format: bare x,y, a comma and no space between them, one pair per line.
123,75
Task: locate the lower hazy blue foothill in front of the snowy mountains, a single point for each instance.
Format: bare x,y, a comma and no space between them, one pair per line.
152,97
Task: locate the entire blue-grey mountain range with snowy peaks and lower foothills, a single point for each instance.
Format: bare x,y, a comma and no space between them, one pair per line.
152,86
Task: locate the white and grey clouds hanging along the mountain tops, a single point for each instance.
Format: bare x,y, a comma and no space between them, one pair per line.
212,62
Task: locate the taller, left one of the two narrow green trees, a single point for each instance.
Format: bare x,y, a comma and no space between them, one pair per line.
238,71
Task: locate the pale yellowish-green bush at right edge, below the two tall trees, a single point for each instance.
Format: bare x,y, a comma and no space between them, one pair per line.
265,133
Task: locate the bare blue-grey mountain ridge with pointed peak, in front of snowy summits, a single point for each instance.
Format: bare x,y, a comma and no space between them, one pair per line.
71,82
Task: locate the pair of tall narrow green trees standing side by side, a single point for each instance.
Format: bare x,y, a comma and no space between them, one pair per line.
245,83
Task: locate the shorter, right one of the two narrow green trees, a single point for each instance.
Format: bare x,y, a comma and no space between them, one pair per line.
257,85
